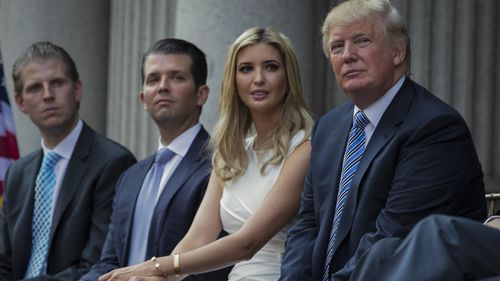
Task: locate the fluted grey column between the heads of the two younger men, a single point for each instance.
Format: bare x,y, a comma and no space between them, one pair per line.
135,25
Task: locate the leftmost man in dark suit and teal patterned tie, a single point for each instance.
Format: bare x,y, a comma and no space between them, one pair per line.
48,90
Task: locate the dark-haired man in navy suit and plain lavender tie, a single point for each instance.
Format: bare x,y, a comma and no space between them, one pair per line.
174,90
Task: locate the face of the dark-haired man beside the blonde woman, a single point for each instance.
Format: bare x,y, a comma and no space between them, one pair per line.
169,93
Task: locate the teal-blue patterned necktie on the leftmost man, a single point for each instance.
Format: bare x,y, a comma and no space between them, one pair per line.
42,215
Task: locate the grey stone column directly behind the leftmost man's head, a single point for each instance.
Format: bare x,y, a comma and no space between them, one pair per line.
81,28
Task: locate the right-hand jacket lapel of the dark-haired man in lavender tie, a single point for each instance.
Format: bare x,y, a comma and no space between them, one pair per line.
188,165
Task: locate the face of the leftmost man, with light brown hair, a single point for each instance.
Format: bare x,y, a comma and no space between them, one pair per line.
49,97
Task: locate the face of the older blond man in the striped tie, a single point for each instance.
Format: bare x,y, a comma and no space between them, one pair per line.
366,64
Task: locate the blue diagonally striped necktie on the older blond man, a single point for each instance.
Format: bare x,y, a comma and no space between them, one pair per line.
352,156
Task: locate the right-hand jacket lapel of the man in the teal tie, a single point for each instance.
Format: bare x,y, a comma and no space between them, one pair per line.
75,172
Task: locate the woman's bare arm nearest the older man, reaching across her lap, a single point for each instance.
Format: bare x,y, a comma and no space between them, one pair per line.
277,209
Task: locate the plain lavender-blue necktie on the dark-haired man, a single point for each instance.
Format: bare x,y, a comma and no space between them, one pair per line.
146,202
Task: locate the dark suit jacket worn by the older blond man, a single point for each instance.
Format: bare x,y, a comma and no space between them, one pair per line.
420,160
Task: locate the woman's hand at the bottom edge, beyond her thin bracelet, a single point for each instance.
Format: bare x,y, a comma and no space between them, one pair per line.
142,270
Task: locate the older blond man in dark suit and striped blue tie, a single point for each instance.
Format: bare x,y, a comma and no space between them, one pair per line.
418,156
